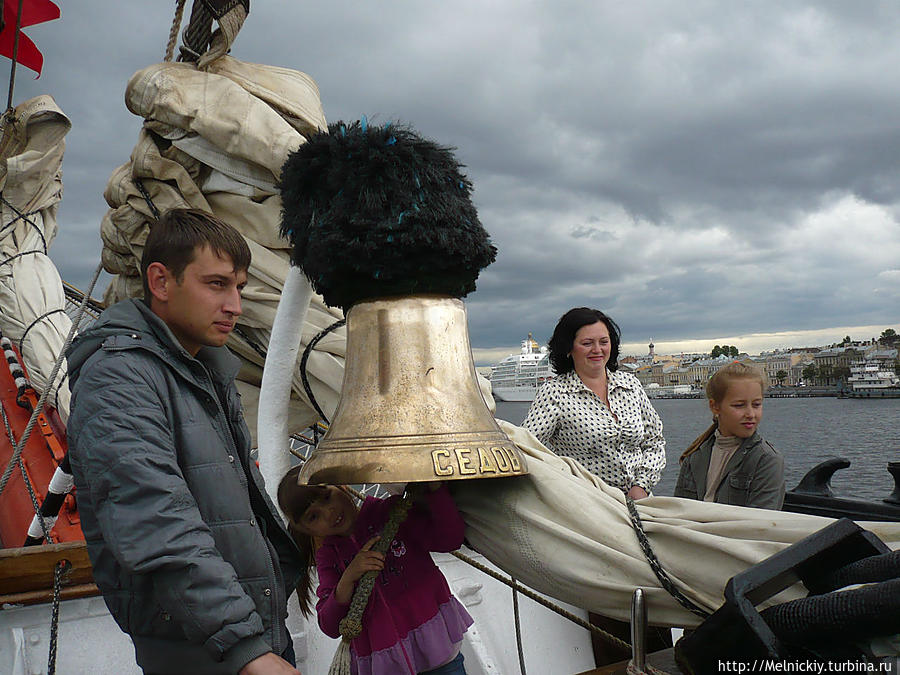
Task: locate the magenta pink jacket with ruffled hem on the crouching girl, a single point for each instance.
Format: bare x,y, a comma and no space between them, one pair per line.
412,622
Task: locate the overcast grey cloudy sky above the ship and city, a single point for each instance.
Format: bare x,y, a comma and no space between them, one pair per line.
704,172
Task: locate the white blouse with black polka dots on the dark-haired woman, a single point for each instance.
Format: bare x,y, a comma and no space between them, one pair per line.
573,421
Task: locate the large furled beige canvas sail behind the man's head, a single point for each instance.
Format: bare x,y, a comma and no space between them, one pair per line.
216,139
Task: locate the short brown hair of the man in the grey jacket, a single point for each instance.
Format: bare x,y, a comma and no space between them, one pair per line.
176,237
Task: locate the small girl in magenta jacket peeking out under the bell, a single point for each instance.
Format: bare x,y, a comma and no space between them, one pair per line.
412,622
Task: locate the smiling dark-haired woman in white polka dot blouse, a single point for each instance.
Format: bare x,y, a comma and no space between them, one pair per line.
594,413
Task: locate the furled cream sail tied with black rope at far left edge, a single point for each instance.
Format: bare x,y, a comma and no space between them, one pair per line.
32,301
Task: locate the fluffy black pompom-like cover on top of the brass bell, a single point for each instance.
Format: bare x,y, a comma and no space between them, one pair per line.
379,211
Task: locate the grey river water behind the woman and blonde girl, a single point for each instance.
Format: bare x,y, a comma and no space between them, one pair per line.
805,430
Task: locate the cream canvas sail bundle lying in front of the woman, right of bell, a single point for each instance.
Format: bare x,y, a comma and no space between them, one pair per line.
564,532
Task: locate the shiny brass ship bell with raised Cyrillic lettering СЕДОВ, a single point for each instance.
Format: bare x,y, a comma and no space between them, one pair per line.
411,409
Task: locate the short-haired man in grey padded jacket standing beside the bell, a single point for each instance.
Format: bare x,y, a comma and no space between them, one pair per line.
191,556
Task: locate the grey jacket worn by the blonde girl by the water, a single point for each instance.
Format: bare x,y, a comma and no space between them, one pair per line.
754,476
